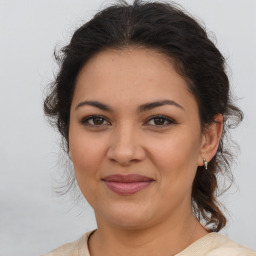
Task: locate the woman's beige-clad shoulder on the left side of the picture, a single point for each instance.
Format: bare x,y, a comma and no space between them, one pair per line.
76,248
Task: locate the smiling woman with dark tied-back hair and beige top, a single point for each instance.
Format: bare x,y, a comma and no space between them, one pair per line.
142,101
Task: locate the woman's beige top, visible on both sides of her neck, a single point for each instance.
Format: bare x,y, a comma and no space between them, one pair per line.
212,244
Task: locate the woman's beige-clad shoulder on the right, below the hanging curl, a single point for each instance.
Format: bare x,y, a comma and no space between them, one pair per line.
216,244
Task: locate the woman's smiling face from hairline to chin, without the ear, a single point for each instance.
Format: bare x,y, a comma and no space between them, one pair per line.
135,138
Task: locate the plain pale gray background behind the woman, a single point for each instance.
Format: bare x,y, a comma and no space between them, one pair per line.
33,219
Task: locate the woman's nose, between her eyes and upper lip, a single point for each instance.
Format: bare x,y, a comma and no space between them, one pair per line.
125,146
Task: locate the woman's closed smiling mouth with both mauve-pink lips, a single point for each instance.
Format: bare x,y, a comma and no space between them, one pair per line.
127,184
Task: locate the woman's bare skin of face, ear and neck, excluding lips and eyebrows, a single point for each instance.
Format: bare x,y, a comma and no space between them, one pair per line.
157,220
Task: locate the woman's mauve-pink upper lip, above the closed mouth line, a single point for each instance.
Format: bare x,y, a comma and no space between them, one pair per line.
127,178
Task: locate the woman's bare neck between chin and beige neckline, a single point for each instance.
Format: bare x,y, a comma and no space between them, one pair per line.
159,240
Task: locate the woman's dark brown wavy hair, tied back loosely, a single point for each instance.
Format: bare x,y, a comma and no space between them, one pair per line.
171,31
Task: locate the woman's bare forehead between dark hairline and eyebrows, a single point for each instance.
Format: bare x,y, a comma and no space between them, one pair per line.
129,77
